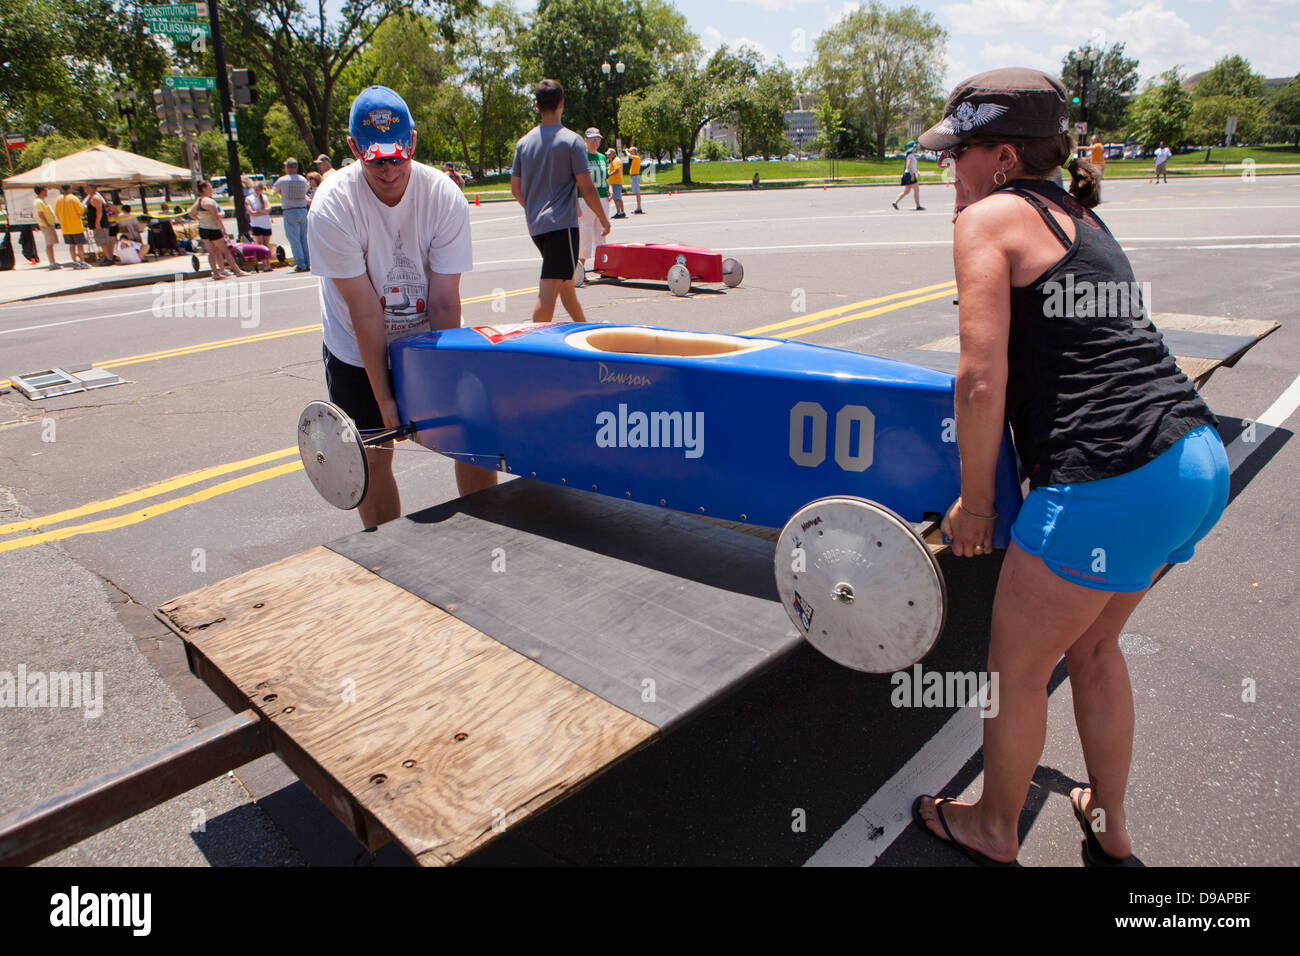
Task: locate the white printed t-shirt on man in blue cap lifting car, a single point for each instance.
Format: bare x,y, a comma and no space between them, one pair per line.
352,233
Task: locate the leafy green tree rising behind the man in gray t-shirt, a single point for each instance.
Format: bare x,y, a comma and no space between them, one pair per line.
573,38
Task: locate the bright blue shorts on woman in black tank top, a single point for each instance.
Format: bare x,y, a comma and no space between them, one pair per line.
1115,534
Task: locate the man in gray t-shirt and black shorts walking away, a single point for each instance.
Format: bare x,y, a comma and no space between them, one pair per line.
551,161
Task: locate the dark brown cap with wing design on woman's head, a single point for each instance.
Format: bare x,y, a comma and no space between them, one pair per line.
1013,102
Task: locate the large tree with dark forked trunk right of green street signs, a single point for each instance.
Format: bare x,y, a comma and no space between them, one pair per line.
304,58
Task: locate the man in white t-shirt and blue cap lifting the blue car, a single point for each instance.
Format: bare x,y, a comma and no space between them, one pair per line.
392,240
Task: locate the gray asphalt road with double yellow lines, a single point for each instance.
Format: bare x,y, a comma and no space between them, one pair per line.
213,400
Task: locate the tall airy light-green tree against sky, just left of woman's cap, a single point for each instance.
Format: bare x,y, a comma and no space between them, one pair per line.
881,66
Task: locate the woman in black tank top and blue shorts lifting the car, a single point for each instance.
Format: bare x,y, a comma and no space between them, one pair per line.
1125,468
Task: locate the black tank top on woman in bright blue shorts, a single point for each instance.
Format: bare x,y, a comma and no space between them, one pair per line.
1093,392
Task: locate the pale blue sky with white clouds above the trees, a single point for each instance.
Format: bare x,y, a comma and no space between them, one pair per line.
989,34
